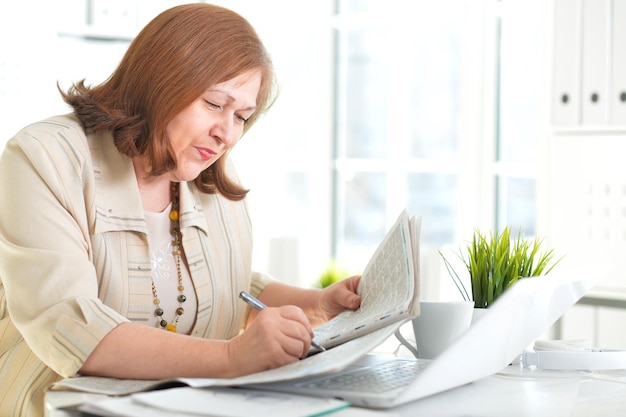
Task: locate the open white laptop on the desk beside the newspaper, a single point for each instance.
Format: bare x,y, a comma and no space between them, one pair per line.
518,317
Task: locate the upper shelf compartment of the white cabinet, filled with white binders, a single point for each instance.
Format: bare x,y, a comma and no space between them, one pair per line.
589,63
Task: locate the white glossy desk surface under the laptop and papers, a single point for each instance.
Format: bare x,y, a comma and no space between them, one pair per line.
515,392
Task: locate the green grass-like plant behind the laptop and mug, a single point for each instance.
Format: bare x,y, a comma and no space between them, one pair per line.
496,262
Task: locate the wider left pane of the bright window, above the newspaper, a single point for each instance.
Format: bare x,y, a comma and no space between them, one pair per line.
398,120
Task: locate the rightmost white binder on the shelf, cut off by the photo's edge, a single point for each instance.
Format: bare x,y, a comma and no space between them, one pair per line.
618,71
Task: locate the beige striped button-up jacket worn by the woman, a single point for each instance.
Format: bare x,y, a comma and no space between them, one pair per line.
74,260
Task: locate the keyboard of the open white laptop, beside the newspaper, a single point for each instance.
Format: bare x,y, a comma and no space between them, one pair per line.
385,376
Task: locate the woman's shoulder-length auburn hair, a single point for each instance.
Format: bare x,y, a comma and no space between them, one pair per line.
172,61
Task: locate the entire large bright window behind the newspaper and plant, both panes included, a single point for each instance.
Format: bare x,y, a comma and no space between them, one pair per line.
439,111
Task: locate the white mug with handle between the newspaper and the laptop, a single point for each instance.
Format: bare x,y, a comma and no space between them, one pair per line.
439,324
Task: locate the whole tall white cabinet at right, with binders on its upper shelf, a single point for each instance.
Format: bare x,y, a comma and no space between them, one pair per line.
587,173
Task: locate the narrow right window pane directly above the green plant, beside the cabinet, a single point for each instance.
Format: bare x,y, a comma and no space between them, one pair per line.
520,111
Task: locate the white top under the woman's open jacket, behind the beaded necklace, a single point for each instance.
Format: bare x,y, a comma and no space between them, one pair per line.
165,275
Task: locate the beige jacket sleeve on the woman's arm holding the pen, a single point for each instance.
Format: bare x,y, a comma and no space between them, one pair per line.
46,269
